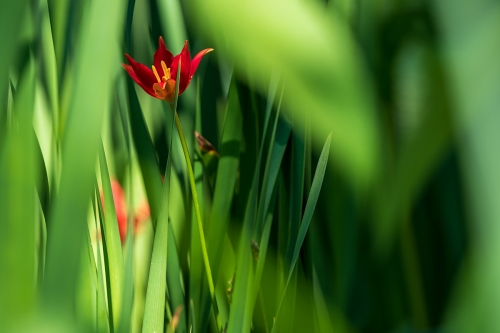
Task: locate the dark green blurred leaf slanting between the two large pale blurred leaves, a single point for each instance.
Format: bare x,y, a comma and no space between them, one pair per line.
419,155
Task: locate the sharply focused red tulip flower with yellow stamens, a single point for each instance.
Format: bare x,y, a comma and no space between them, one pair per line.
160,81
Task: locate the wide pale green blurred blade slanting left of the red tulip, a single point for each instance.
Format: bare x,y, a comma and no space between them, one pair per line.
80,149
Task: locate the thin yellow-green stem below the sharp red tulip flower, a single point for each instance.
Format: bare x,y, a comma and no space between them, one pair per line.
198,220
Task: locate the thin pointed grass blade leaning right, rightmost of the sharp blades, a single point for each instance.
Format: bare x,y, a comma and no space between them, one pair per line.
306,219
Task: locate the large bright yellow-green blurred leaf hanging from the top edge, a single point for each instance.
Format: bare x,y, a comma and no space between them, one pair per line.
323,68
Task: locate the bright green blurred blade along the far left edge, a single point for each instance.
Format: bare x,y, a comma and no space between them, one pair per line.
18,206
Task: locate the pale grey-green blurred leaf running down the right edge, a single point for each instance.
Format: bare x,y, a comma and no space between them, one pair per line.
472,49
